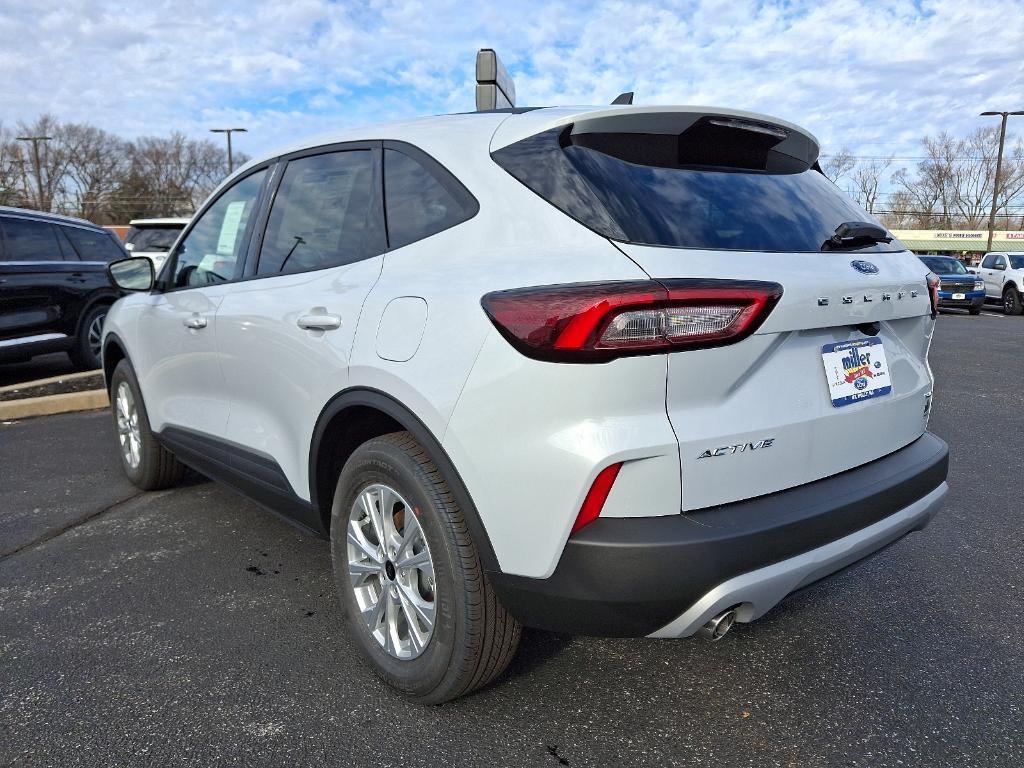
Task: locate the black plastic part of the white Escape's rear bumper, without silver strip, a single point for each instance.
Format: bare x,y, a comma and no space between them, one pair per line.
630,577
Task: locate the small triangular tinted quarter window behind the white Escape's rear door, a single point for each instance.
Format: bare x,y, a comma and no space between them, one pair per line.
421,198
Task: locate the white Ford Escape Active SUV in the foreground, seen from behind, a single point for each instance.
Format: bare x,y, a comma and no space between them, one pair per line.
613,371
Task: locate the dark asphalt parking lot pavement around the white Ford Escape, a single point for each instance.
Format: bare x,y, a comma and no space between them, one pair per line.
189,627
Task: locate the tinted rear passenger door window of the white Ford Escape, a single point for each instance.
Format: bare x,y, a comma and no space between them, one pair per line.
326,214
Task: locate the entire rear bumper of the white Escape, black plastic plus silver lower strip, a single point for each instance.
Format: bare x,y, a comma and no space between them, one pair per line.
667,576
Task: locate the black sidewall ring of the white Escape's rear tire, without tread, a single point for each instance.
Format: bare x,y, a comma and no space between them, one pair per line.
378,462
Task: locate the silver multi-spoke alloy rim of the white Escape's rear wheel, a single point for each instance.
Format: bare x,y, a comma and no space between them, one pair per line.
392,572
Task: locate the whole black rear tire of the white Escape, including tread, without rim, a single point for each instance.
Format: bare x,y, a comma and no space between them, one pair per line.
474,638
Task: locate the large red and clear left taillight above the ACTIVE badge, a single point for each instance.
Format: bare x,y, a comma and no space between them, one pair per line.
599,322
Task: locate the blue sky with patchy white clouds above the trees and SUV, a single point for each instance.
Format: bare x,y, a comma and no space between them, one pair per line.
872,75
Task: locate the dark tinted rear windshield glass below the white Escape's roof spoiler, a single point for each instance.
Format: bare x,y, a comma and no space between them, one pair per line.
679,198
